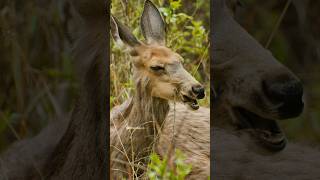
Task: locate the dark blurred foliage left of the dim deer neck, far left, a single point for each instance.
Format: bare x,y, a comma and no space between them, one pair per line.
37,82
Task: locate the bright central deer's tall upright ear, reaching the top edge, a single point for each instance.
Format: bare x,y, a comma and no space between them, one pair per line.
152,24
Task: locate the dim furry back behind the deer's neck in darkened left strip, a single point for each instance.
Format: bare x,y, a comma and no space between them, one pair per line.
25,159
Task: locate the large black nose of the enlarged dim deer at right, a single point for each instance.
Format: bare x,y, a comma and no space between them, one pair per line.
289,94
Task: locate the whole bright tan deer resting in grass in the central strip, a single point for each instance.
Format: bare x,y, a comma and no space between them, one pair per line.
159,78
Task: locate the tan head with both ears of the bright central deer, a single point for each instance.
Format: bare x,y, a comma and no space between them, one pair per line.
155,64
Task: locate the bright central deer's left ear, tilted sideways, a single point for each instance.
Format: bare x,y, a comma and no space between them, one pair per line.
121,33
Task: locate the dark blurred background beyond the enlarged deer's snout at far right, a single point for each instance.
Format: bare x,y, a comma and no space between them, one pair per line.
297,45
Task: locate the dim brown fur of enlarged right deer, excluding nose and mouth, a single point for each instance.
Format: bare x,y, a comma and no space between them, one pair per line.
241,65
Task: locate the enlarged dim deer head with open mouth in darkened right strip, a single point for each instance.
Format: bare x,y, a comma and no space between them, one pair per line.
253,88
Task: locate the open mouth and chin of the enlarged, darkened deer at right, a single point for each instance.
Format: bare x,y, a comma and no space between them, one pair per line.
266,131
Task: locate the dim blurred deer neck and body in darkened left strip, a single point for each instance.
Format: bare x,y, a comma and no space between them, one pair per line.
75,147
